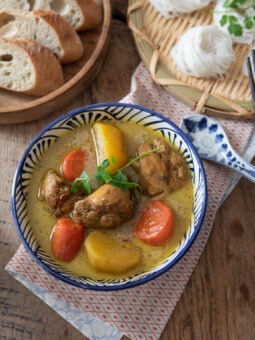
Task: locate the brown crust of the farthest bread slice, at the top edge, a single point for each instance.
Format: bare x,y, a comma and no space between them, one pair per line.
92,14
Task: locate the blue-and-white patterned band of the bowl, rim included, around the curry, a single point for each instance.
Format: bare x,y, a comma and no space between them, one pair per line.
89,115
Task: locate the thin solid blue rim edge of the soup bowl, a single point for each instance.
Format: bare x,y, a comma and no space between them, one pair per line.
124,285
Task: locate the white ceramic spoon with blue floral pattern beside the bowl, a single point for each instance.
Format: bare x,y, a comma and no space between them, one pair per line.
212,143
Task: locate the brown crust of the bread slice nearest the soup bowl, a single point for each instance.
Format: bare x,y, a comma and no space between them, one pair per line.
48,71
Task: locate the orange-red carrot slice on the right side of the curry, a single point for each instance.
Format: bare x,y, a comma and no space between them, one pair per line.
155,224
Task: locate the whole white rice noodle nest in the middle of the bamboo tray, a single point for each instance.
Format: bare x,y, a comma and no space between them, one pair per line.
203,51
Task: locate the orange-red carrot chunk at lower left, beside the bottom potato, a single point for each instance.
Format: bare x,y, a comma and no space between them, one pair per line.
66,239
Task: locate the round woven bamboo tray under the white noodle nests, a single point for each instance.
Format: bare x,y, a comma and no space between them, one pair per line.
155,36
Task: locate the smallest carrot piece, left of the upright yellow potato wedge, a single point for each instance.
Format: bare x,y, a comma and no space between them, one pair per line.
73,164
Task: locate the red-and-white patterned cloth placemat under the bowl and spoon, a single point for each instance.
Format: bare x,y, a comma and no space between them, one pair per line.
142,312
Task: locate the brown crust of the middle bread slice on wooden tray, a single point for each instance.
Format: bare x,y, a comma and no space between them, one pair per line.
69,40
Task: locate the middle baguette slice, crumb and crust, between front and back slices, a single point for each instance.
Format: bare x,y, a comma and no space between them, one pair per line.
47,28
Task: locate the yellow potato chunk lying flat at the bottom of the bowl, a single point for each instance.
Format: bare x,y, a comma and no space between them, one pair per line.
109,255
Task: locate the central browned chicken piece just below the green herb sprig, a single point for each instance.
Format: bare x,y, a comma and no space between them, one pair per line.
107,207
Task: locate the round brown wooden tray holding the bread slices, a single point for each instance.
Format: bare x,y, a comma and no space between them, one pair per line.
19,108
